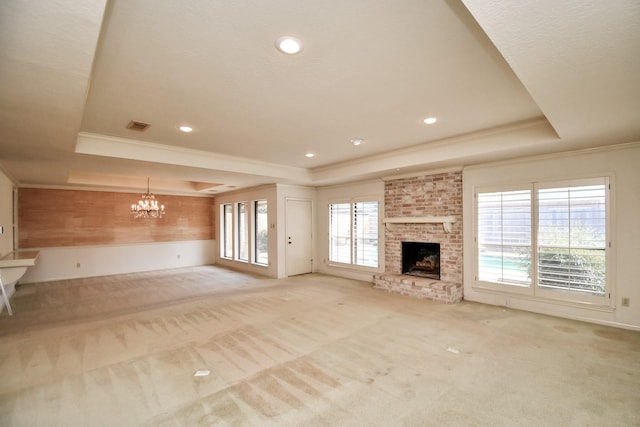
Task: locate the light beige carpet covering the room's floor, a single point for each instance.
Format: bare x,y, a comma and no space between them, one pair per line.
312,350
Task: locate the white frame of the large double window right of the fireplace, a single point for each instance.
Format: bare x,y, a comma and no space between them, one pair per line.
534,290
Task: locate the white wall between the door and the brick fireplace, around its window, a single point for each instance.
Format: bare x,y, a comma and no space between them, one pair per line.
370,190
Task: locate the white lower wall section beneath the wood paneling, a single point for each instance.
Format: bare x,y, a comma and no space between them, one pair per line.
62,263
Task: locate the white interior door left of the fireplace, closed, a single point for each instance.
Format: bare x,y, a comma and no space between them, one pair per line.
299,237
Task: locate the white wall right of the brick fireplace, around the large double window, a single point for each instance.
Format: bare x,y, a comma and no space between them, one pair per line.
623,163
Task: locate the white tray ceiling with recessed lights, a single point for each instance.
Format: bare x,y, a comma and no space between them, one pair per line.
504,78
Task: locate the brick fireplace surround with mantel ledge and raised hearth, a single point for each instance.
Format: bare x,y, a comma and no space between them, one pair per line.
431,197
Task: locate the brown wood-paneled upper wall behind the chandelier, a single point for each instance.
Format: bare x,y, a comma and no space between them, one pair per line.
51,218
